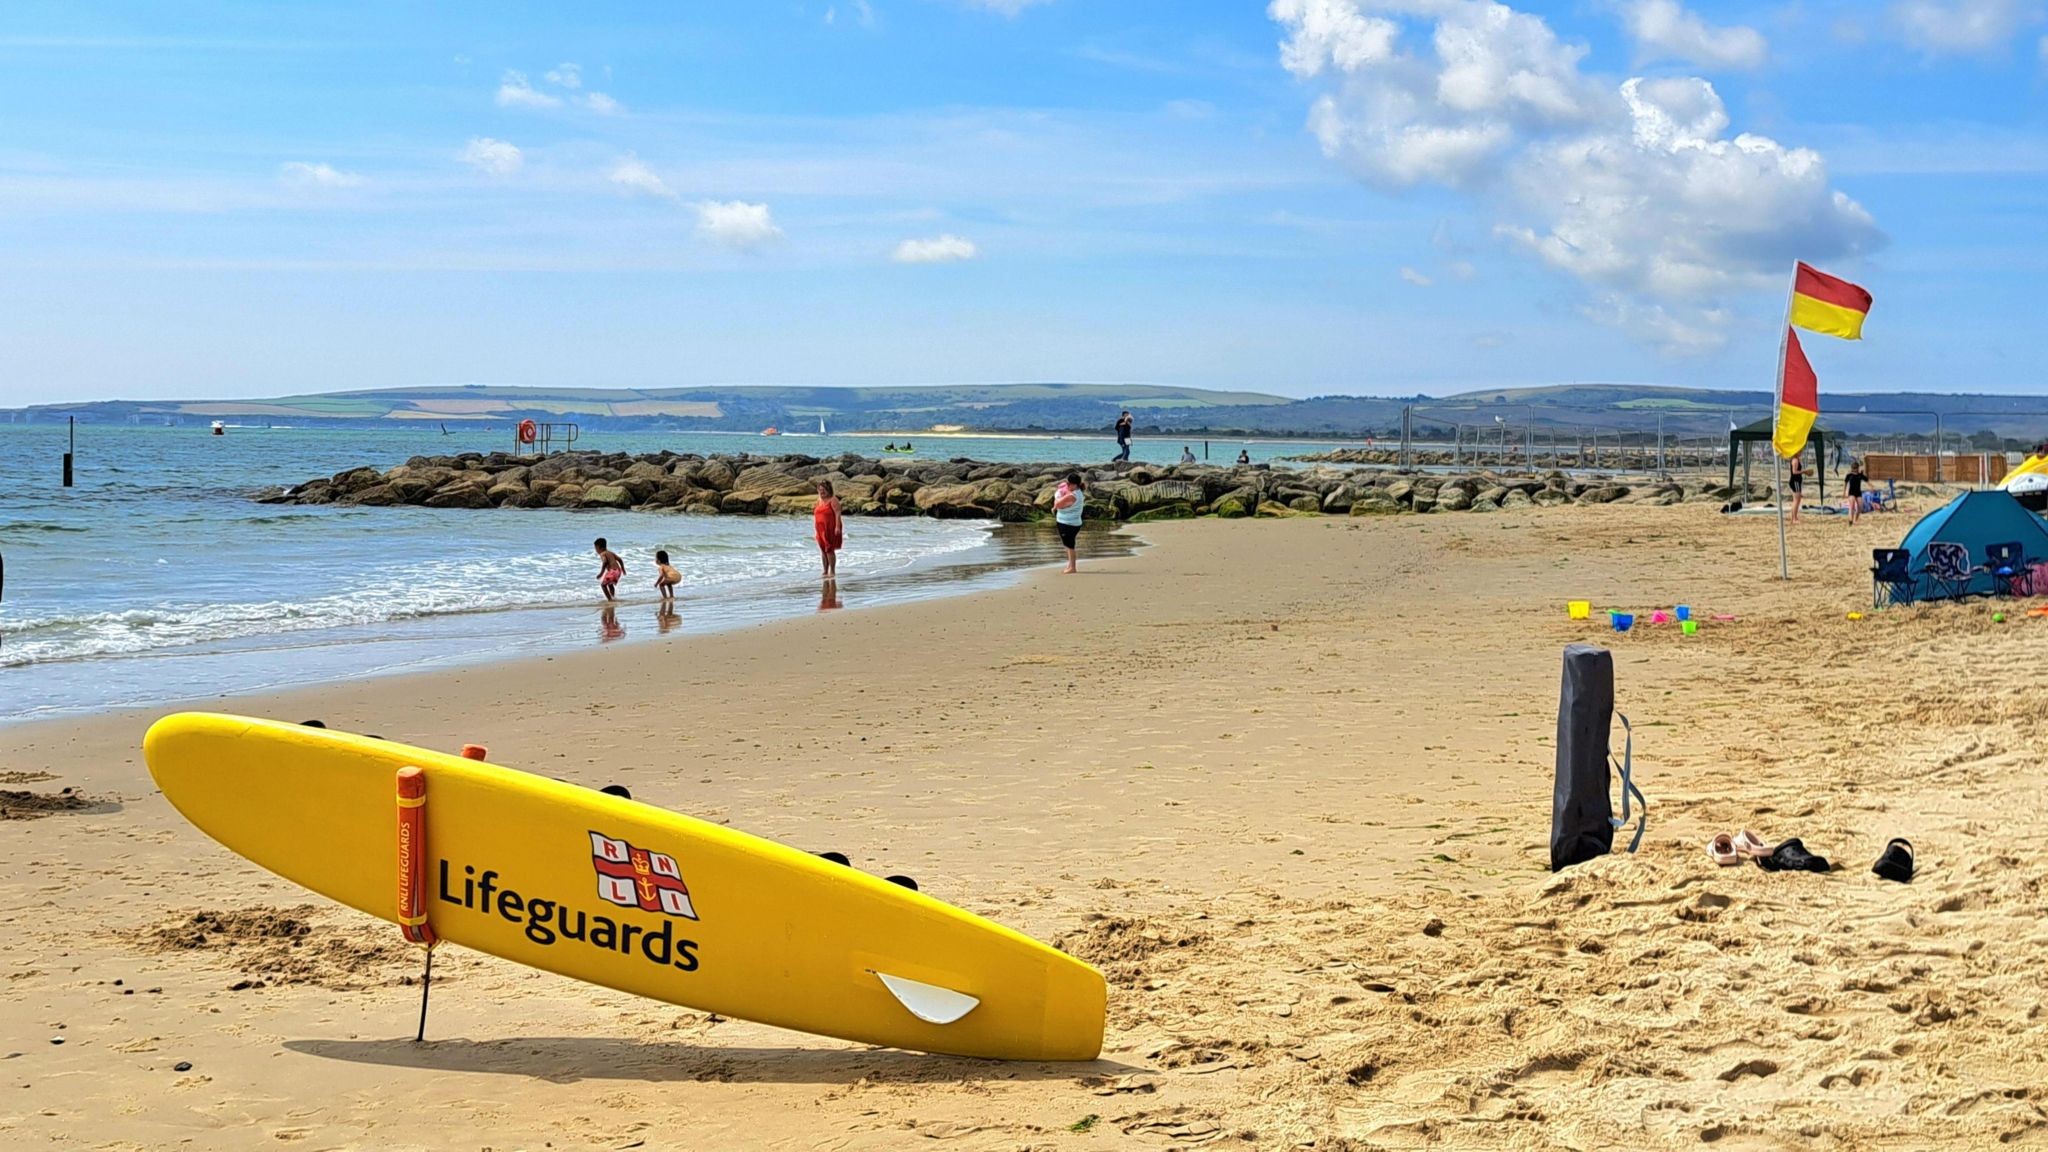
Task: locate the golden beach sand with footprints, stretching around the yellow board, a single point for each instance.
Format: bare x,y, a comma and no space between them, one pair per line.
1285,782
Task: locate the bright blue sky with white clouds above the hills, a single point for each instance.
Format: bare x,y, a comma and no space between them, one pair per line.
1306,198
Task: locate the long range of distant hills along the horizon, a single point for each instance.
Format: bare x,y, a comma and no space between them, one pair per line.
1076,409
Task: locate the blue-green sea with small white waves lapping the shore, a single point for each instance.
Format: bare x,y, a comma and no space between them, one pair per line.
159,577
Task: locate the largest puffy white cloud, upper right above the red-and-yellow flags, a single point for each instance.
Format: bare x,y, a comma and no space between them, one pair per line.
1635,190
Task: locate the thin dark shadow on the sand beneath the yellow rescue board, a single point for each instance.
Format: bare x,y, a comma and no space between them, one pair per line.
570,1059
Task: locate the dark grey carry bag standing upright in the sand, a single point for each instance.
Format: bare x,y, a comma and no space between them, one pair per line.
1582,817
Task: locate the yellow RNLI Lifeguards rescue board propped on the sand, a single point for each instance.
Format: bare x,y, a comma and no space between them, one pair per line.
630,897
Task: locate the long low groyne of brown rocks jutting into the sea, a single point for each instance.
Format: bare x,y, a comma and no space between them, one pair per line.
962,489
